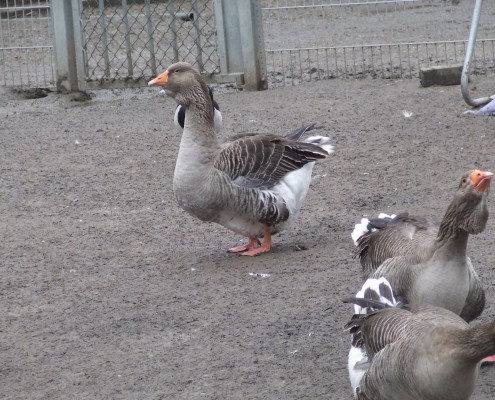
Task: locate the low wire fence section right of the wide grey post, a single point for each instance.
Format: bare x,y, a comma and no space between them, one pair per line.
308,39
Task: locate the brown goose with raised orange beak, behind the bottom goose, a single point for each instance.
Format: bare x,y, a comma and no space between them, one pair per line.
427,263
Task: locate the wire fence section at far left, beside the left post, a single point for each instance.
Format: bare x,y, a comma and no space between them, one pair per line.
26,44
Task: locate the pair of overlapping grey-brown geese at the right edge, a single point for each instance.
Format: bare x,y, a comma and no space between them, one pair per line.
411,338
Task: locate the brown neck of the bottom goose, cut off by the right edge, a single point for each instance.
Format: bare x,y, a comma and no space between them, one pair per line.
478,342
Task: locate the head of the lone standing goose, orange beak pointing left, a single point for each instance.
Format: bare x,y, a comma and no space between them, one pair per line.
184,83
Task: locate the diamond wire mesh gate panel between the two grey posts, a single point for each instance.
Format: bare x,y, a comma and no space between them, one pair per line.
134,39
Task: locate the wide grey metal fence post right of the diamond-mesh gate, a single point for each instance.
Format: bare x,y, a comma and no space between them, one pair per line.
241,44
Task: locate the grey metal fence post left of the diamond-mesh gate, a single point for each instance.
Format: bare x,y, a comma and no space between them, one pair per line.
68,44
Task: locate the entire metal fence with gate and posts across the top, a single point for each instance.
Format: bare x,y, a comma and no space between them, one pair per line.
124,42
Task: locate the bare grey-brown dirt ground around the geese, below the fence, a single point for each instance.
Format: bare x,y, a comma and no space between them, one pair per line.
110,291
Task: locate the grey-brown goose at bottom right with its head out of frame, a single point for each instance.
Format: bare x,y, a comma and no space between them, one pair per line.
418,352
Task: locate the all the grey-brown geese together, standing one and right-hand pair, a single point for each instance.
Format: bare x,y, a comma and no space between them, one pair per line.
411,337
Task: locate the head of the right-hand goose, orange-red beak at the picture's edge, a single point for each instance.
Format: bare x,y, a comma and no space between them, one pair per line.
469,207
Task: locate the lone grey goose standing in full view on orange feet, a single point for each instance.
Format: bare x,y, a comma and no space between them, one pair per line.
254,185
